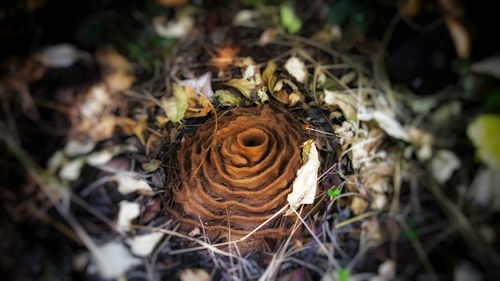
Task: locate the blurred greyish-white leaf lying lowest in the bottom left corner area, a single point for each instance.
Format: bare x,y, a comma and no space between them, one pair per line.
113,260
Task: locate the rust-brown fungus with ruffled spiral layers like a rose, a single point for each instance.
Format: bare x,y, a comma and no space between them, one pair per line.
236,174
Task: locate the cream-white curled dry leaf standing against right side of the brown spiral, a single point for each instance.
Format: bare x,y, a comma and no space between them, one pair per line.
305,184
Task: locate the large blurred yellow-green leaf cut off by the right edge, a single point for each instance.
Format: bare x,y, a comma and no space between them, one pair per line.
484,132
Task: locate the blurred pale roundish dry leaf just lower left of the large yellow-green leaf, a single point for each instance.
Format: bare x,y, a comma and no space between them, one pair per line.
443,164
